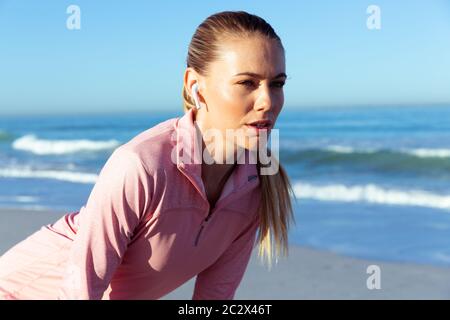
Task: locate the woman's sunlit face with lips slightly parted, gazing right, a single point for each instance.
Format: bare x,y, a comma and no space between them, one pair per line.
245,84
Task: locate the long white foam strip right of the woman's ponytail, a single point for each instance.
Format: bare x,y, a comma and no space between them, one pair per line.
373,194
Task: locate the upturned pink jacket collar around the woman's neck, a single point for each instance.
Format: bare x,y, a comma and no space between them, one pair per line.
189,158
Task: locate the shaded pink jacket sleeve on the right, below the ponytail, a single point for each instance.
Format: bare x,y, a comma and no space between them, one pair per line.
220,280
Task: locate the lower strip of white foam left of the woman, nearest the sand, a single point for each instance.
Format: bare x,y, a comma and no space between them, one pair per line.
26,172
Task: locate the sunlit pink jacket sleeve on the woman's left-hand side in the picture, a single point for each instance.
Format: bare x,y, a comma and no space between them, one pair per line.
114,208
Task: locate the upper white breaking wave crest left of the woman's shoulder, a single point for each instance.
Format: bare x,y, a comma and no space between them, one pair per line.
35,145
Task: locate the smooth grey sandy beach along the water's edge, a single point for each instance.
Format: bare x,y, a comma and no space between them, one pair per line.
305,274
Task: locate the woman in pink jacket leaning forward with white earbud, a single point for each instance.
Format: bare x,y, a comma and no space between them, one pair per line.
159,215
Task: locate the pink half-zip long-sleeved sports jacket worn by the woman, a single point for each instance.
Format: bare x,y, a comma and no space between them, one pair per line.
143,231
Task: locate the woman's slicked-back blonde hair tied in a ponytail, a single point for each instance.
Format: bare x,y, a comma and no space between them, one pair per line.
275,209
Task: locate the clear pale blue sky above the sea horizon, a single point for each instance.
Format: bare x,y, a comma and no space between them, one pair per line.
130,55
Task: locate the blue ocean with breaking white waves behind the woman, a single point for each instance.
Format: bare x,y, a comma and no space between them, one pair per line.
370,182
